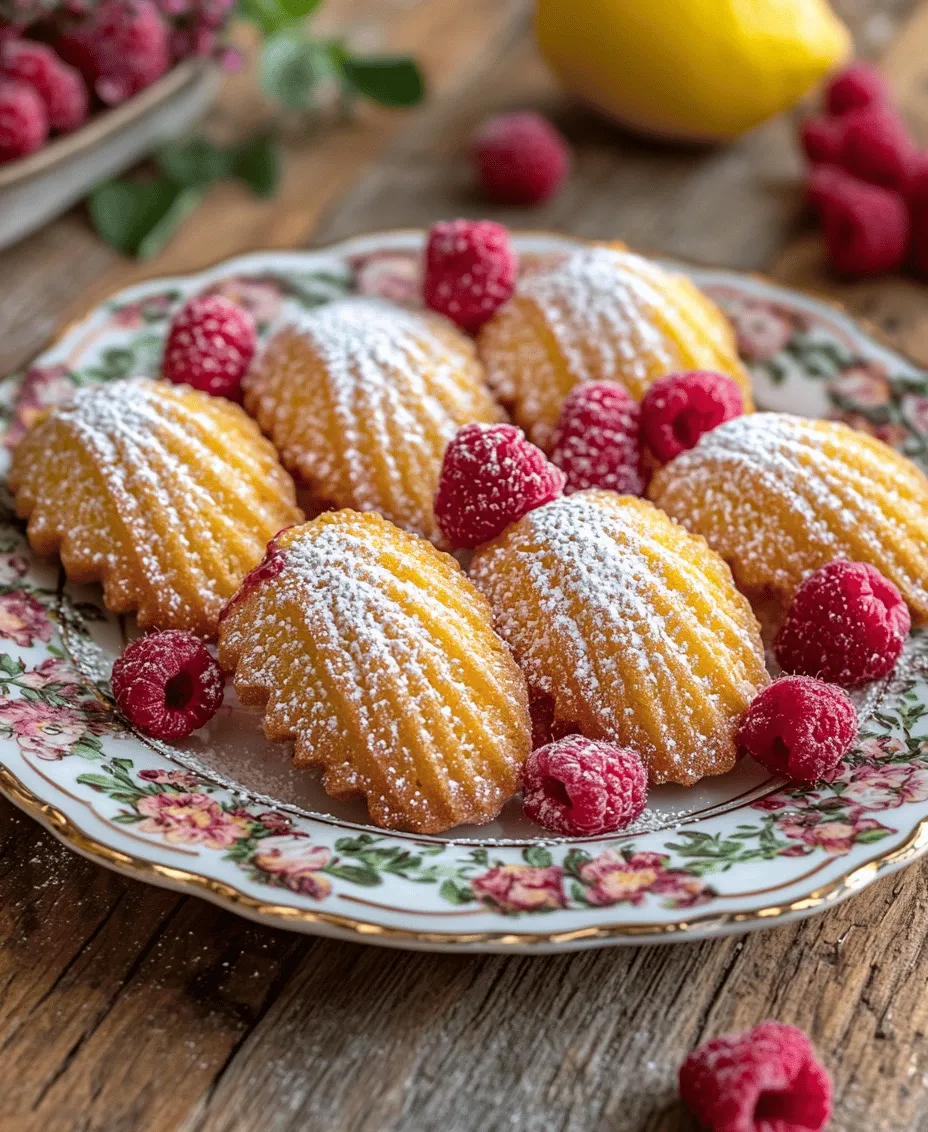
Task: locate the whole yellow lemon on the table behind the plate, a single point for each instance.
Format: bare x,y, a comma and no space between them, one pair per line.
699,70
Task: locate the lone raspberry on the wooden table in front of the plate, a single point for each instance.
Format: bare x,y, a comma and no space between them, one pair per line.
766,1080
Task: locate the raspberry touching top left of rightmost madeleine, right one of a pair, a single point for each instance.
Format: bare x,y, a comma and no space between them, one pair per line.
678,409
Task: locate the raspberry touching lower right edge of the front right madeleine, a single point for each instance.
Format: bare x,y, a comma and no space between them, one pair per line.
800,727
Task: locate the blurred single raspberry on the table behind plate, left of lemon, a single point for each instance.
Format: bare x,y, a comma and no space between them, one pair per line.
521,159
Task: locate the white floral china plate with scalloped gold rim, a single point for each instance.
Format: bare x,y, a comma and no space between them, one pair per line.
226,817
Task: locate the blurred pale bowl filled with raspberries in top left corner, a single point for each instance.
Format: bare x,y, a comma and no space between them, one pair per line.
88,88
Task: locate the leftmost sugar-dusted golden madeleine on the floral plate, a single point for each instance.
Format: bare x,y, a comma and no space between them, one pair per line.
166,495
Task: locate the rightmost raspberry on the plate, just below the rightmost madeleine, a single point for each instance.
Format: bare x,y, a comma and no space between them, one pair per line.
848,624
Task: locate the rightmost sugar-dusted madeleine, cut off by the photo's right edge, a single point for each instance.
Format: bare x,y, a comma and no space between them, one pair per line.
779,496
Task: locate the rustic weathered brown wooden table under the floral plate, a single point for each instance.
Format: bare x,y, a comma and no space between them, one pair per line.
128,1008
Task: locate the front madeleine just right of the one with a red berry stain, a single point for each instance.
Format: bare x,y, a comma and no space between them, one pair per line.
632,625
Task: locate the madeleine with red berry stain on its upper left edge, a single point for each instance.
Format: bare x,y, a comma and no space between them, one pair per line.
376,654
